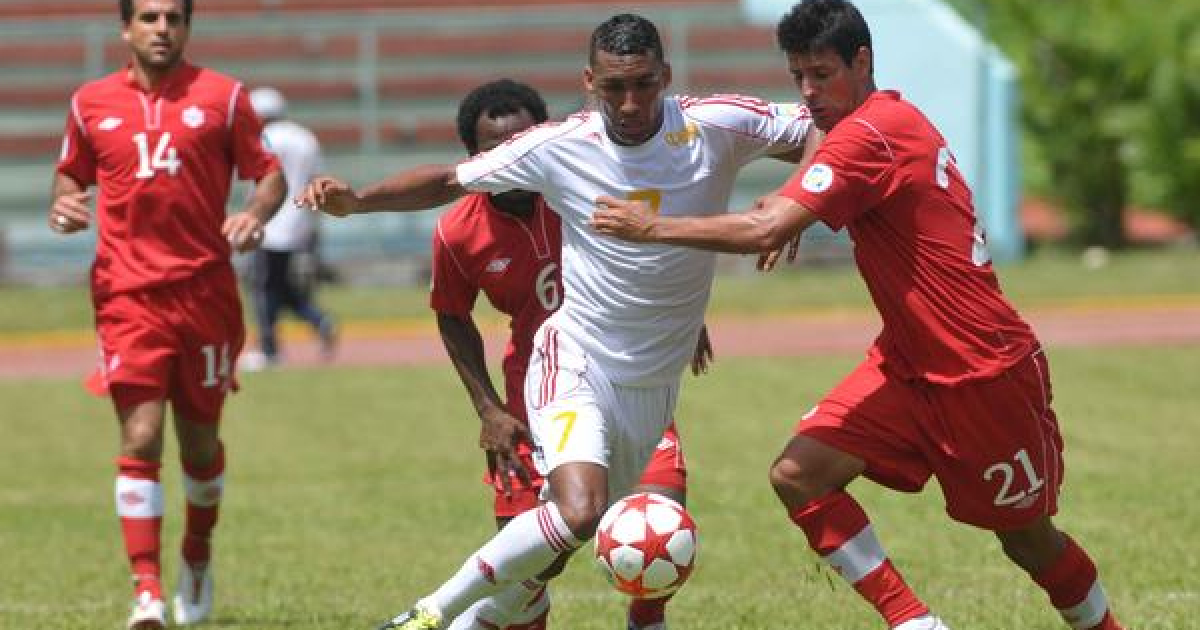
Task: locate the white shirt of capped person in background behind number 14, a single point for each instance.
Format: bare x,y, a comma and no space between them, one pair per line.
299,154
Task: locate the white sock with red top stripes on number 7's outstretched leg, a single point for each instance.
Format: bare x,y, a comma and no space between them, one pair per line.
525,548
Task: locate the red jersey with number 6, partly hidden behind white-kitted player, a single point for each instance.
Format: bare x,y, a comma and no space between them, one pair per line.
514,261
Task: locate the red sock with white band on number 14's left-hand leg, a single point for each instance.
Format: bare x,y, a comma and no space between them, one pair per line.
140,509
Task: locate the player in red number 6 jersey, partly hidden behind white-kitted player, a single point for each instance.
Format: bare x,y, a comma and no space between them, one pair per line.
508,247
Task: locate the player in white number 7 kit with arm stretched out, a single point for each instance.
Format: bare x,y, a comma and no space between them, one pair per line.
605,373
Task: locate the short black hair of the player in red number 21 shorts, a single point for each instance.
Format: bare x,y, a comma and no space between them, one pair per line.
815,26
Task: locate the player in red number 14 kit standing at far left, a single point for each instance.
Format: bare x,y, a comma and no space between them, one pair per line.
160,141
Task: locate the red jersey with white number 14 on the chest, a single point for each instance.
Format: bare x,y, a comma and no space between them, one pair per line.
164,163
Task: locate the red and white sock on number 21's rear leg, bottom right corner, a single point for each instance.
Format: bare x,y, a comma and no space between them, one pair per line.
1073,585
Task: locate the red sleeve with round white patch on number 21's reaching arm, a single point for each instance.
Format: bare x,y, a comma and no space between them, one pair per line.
851,172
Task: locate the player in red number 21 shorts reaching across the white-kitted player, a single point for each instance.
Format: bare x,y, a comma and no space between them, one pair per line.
956,386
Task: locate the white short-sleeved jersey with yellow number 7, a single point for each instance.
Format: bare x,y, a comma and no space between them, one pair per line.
637,309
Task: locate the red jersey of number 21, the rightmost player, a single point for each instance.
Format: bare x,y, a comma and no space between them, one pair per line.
886,175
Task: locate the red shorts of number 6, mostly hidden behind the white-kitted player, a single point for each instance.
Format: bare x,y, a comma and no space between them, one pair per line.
665,469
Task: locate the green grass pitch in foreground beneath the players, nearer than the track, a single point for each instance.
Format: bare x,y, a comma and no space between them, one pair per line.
351,493
